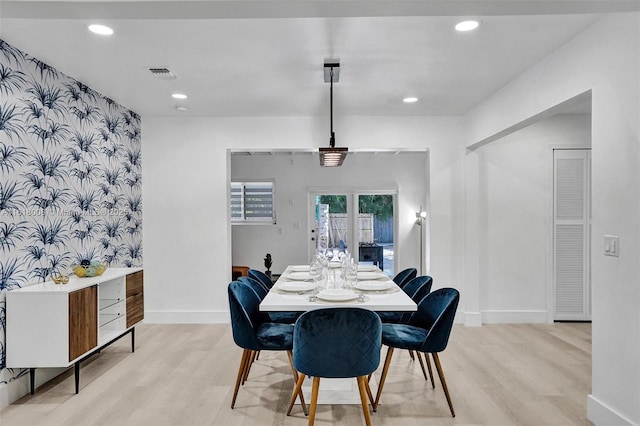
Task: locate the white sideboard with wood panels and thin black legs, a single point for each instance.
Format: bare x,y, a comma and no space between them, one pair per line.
59,325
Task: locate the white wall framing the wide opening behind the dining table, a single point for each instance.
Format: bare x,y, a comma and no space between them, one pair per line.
187,235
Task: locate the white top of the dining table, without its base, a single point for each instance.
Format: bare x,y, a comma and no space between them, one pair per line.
393,299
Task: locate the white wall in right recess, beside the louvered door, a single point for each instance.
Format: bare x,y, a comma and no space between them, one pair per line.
515,208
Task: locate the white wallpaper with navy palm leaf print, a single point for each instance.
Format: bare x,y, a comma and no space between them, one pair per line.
70,178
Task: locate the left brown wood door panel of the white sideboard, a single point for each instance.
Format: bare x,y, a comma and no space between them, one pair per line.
83,321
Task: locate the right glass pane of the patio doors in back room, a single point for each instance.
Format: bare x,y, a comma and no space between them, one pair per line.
375,230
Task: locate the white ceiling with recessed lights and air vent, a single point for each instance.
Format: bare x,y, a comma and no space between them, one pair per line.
265,57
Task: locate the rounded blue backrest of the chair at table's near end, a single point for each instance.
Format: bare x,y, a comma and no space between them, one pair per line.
337,342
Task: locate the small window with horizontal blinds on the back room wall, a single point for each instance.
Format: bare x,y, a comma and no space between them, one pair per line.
252,202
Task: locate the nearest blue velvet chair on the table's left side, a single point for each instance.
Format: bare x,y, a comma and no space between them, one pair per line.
253,331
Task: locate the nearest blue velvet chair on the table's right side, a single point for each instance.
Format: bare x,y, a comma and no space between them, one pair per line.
427,331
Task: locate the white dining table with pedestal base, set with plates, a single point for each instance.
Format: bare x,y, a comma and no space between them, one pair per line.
391,298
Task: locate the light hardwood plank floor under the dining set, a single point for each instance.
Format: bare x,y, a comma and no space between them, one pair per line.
508,374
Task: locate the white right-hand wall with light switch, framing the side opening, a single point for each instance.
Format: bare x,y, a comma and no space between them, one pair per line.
604,59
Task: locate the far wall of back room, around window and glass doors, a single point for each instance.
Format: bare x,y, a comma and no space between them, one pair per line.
404,173
